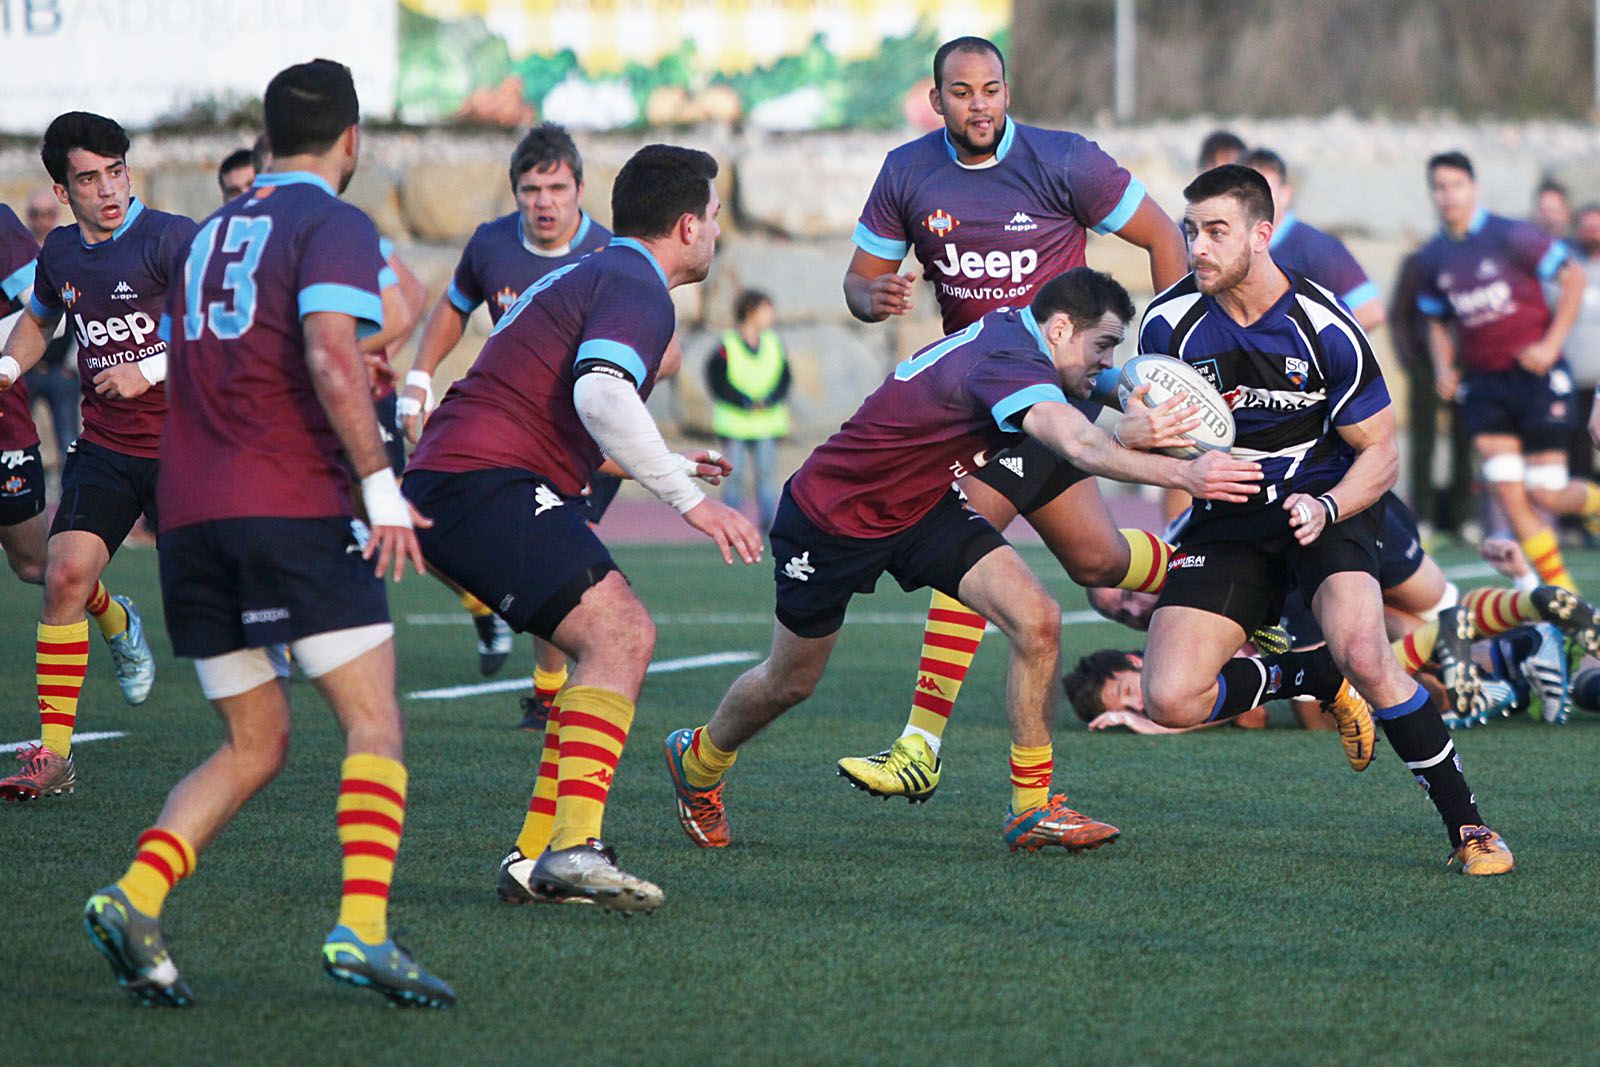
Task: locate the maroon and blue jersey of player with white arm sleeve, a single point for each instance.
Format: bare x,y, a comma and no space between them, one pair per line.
514,409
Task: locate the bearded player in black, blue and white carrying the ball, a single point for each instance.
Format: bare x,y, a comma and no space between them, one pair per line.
1311,404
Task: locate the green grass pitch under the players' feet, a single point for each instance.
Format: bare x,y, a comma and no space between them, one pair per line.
1263,906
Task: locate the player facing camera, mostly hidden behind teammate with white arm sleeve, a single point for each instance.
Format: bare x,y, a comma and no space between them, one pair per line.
546,233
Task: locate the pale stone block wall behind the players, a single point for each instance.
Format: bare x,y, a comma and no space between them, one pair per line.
793,202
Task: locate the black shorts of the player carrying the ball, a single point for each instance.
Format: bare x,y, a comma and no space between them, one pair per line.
1249,580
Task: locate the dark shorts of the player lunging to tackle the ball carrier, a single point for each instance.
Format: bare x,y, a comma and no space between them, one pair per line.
818,572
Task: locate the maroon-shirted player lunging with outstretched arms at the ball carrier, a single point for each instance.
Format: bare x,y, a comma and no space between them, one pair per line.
876,498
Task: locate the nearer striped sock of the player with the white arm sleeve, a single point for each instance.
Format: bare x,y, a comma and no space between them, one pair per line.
594,730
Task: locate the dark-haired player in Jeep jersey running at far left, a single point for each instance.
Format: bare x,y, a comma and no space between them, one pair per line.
108,274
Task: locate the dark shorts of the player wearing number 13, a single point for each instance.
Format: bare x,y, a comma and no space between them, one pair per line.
250,583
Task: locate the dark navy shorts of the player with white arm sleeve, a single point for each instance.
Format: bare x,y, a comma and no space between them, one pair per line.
513,541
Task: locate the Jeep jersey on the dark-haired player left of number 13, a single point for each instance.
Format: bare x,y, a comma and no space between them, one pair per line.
113,297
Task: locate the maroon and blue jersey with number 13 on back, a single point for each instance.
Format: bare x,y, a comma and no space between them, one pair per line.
246,434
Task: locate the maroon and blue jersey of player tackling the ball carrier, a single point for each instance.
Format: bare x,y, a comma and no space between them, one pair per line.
932,422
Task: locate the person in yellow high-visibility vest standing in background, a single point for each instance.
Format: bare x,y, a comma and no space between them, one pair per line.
750,386
